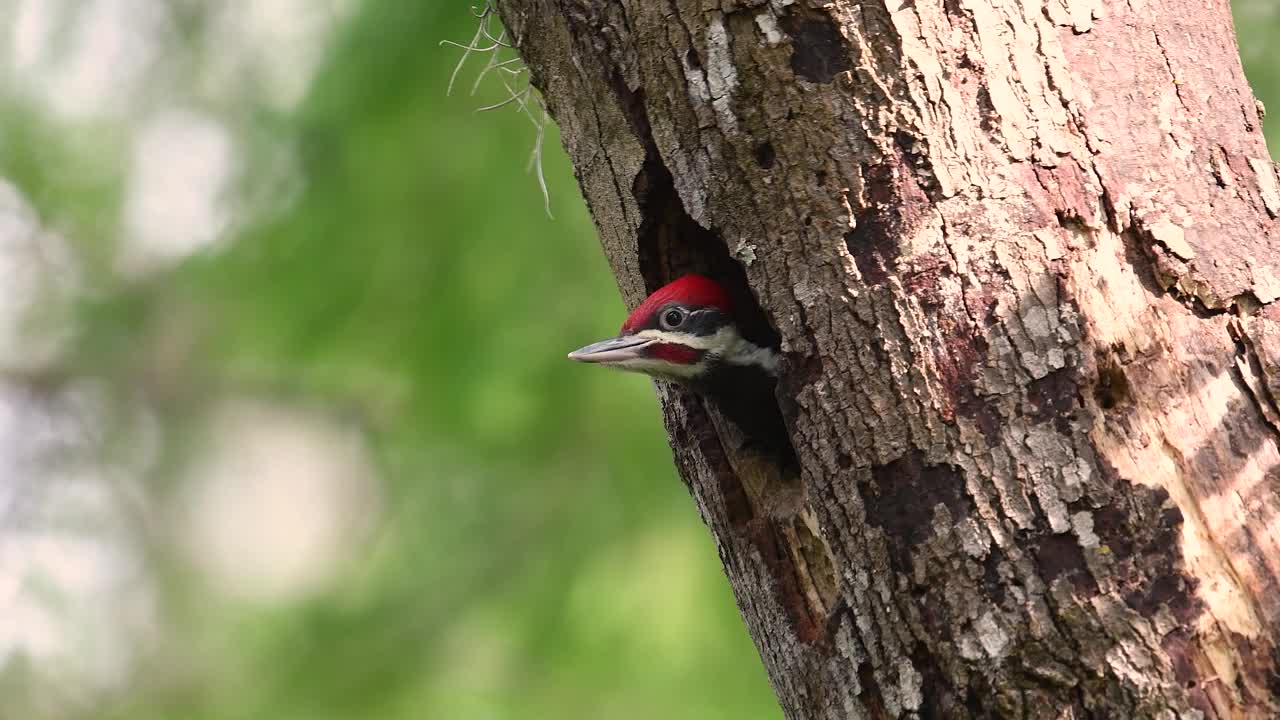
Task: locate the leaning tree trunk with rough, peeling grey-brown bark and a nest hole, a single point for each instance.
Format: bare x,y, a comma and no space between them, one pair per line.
1021,257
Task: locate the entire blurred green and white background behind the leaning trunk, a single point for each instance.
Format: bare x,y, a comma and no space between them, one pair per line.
286,427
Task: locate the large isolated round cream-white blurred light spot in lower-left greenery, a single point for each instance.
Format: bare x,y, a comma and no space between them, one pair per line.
277,503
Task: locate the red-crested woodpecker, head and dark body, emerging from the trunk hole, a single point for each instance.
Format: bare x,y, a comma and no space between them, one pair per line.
687,332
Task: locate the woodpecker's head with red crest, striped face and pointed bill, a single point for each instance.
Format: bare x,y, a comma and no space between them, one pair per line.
684,332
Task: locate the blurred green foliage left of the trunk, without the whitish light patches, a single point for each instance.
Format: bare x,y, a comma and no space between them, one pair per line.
538,557
